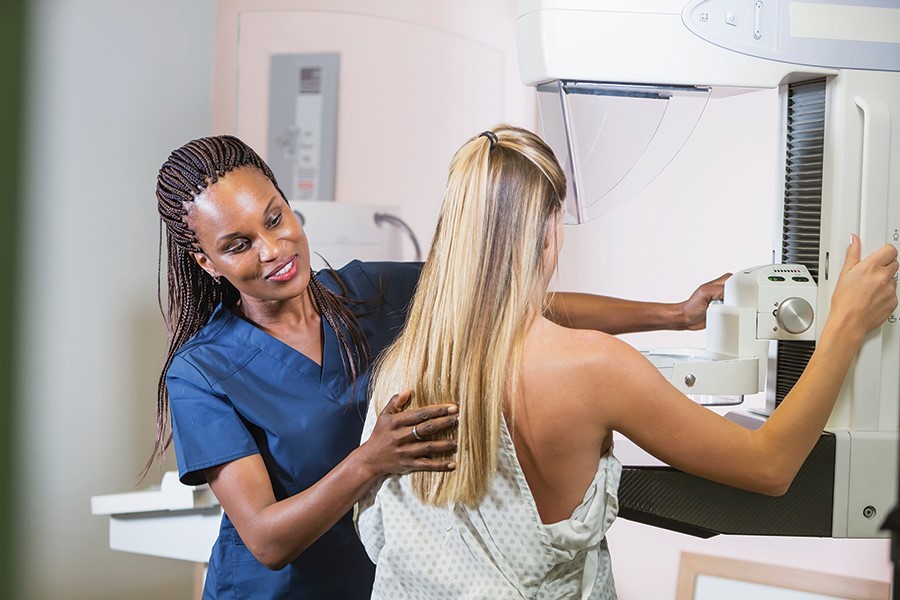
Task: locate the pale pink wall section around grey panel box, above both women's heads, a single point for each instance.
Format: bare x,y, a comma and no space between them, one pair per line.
416,80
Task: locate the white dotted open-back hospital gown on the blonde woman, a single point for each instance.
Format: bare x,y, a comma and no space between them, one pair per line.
497,550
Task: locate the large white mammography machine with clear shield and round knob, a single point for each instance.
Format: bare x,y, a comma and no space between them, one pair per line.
621,85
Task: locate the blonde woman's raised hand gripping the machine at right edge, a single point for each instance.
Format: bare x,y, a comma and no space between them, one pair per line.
866,291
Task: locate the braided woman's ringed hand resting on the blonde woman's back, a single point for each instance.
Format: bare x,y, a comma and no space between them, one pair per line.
402,439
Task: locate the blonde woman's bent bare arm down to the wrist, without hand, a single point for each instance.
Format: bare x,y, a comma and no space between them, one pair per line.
766,460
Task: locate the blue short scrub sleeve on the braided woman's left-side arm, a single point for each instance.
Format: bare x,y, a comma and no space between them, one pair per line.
206,429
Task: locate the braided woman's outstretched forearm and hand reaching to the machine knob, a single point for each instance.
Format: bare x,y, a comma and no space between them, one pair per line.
615,316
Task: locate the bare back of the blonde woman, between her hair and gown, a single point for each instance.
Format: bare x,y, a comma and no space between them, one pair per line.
558,438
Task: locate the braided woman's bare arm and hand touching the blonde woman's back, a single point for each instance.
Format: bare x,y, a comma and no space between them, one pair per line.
276,532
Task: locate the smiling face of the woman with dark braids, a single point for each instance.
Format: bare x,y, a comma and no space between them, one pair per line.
250,236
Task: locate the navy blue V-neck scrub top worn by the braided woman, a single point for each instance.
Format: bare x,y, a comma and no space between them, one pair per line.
235,391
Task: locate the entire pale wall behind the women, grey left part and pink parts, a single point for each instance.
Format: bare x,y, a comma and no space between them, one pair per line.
115,86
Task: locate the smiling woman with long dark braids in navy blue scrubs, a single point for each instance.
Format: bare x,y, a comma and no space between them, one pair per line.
267,372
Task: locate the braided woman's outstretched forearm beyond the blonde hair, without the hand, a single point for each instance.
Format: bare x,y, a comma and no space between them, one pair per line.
612,315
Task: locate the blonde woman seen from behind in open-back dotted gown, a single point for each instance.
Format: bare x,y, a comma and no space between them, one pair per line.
525,512
